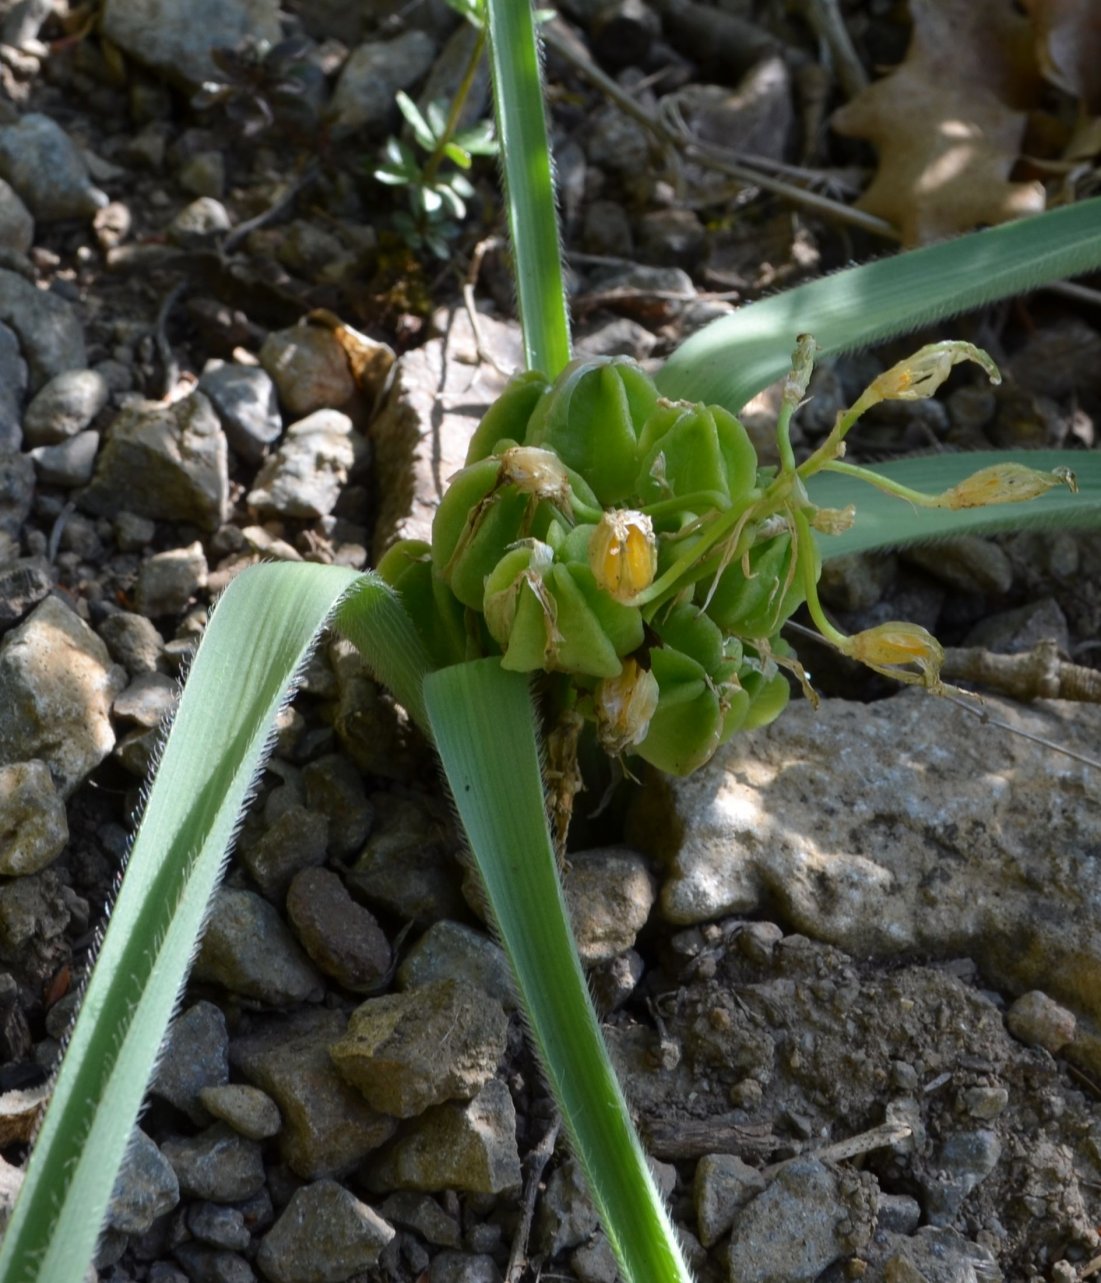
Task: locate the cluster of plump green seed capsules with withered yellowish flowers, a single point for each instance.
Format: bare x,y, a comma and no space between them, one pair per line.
637,547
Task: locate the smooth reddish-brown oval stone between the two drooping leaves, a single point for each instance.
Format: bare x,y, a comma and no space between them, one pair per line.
341,937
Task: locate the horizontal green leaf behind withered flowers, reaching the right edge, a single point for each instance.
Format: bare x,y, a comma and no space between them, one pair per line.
885,522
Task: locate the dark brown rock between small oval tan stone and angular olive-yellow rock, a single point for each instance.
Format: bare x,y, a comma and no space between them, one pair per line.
328,1126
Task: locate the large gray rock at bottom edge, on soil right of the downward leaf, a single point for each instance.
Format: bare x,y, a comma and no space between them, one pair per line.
795,1230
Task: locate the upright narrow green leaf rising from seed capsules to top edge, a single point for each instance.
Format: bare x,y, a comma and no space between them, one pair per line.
529,185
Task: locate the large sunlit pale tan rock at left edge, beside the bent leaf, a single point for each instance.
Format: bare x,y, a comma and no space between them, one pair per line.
57,687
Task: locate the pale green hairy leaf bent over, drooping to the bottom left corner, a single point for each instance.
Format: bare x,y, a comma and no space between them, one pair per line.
259,640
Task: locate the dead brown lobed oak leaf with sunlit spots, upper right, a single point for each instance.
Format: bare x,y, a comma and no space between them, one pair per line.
949,123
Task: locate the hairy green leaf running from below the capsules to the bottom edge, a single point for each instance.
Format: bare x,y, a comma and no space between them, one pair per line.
484,727
